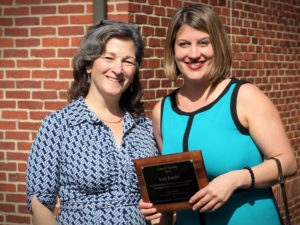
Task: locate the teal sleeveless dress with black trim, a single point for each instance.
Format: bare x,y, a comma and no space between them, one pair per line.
226,145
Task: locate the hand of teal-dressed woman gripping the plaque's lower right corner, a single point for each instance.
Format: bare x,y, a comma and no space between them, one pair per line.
215,194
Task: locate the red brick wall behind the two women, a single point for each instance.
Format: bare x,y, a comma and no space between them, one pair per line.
38,39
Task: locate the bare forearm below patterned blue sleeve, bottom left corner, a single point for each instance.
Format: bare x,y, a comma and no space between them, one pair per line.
41,215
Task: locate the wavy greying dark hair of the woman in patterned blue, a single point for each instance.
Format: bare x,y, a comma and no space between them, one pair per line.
92,47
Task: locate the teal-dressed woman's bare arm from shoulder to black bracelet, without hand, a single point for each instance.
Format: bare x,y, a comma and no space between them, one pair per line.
260,116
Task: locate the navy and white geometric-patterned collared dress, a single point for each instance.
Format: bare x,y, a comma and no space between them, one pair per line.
74,156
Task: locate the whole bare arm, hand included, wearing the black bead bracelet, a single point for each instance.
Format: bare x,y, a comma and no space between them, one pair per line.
257,113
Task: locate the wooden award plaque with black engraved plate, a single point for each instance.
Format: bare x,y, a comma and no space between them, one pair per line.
169,181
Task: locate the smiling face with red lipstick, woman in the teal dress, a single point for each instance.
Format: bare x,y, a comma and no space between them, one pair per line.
193,53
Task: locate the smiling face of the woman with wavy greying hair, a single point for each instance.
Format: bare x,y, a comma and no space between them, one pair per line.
113,71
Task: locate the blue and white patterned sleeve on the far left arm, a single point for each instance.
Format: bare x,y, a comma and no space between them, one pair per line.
42,165
